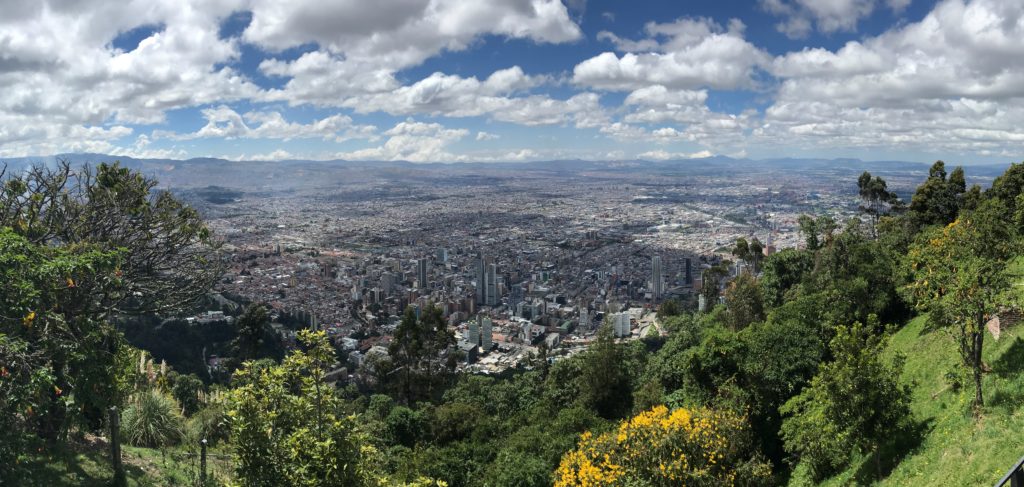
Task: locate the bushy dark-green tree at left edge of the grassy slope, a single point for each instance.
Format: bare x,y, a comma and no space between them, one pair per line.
855,404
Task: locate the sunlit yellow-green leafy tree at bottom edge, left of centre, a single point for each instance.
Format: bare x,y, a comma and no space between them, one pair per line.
287,424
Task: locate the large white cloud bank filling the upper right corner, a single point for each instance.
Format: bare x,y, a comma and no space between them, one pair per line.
950,82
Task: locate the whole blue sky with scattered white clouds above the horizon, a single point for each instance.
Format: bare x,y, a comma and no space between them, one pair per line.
515,80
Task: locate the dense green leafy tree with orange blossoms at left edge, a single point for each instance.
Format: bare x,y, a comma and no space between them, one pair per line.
55,345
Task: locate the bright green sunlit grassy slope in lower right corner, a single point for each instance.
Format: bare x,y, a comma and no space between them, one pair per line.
955,449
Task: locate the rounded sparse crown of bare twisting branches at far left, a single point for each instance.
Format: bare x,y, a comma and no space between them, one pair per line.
168,256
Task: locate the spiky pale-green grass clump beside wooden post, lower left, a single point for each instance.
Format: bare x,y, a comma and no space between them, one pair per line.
153,420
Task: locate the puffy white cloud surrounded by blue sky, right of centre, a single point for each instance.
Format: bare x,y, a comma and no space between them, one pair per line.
690,54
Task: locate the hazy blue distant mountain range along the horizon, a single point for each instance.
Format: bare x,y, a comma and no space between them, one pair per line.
304,173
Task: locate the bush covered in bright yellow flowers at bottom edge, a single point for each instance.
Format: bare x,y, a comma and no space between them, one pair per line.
665,448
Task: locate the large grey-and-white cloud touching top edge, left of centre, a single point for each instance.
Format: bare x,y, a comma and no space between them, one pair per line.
361,49
